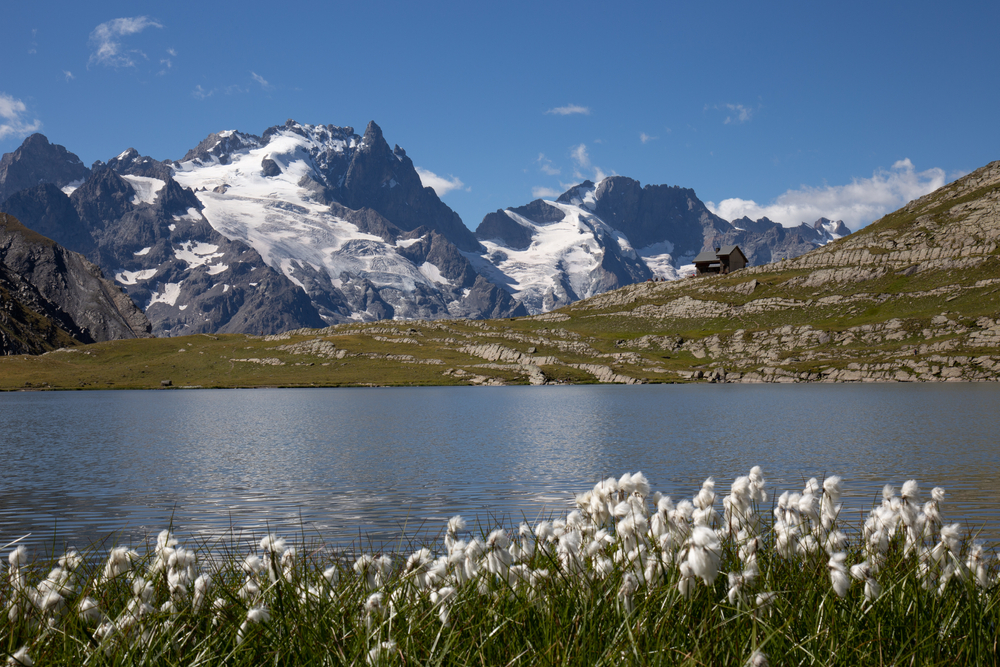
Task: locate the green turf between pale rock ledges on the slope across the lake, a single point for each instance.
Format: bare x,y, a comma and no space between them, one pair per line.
914,299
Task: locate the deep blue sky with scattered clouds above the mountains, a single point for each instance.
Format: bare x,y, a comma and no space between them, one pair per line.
792,110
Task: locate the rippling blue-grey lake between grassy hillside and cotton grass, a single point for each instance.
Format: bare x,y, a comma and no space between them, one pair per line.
350,465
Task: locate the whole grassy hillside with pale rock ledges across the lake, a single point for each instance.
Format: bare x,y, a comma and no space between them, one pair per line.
913,297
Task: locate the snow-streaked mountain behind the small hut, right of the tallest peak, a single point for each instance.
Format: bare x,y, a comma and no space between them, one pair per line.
598,237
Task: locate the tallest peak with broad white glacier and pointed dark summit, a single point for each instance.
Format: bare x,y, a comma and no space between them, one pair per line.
342,217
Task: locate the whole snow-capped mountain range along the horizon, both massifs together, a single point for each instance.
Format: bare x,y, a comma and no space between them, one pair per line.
308,225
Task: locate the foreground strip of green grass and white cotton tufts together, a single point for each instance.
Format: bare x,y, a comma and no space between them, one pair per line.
628,577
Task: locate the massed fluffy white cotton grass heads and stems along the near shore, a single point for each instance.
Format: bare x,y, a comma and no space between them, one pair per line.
643,541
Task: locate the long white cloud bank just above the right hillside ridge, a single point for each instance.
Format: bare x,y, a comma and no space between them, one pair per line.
858,203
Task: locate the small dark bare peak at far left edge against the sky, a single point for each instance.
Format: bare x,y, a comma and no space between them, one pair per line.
37,161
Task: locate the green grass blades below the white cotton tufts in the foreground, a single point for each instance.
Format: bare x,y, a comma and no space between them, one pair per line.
541,611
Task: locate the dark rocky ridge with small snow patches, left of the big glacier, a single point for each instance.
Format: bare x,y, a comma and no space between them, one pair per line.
188,277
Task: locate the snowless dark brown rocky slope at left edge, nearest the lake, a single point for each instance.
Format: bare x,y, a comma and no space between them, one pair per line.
69,291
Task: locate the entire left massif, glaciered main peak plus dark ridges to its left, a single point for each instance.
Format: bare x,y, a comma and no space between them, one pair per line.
303,226
